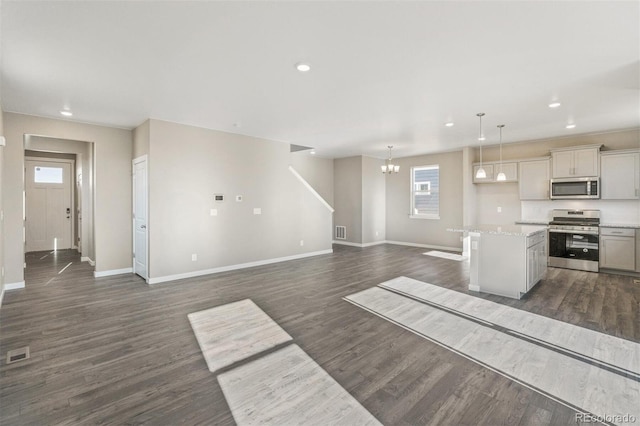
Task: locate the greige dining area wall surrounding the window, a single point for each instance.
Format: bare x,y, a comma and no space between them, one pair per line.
401,228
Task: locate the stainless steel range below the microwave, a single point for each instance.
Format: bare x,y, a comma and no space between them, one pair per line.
573,239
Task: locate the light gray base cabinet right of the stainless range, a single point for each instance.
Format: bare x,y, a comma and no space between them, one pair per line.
618,248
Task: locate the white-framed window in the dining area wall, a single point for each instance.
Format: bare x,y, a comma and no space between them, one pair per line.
425,192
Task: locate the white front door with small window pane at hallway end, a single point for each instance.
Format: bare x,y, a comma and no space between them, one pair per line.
48,204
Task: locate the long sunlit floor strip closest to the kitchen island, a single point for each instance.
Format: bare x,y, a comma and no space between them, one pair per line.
615,352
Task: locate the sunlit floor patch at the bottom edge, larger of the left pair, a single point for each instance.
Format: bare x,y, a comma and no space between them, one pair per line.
286,387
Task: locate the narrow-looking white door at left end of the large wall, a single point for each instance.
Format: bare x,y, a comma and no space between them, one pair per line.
140,189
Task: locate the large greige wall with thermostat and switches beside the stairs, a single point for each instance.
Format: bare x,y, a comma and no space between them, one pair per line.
192,164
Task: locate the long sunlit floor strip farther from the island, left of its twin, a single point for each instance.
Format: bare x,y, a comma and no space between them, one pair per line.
580,385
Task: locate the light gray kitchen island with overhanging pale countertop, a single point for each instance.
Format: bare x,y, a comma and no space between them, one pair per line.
506,260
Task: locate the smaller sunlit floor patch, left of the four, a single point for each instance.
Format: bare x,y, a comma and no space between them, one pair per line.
233,332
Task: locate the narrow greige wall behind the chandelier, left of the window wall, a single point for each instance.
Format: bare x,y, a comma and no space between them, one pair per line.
374,213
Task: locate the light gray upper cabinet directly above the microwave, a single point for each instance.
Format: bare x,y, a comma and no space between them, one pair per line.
576,162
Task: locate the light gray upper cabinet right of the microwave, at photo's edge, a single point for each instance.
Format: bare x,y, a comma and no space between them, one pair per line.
620,175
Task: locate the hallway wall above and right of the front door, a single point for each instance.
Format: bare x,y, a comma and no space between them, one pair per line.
84,165
